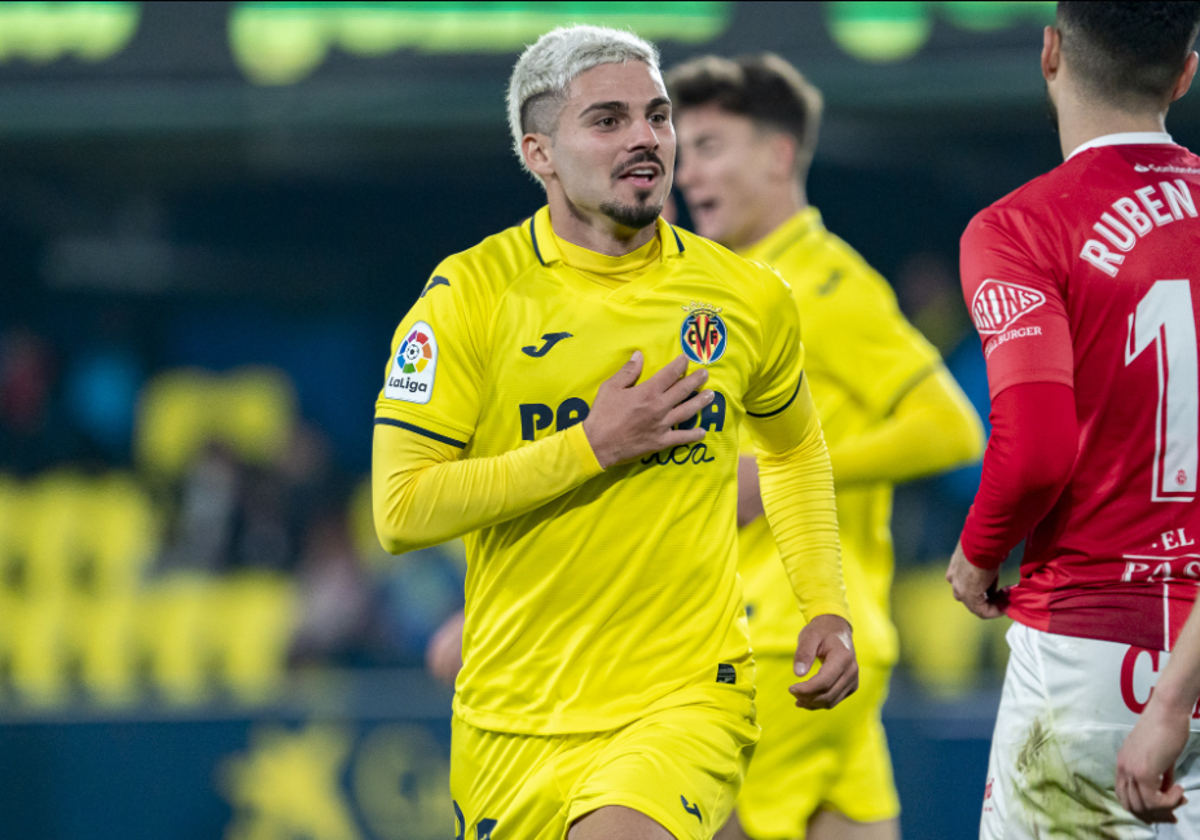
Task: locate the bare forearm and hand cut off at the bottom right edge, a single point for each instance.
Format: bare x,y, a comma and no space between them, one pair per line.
1147,764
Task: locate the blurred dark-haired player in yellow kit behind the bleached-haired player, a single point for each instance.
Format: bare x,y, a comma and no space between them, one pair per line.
890,410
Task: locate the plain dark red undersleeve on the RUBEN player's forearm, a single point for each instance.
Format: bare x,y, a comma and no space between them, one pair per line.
1030,457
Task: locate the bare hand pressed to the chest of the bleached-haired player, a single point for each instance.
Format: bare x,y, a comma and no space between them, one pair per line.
629,421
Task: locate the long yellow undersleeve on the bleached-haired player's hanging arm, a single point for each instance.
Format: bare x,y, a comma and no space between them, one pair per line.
797,491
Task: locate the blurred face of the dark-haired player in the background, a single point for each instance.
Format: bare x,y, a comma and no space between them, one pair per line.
725,173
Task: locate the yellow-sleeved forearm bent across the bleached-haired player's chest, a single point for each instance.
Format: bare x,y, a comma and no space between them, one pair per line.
423,497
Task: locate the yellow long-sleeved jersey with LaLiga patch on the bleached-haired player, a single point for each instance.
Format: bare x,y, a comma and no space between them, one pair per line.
595,597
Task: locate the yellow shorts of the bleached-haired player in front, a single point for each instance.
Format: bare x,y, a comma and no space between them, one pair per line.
681,767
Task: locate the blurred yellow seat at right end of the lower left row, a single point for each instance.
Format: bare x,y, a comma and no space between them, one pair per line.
251,632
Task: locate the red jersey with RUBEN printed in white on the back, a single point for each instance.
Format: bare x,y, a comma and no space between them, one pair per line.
1090,277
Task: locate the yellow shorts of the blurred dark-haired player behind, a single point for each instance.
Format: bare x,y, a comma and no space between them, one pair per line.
812,760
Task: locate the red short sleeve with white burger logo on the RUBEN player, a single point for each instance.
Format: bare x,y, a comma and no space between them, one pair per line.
1017,305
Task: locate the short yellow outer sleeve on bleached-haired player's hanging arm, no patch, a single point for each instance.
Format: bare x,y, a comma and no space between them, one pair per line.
777,381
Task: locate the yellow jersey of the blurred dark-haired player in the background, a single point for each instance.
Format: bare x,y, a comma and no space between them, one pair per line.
862,359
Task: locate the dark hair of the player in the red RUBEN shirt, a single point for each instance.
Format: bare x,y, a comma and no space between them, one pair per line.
1130,55
